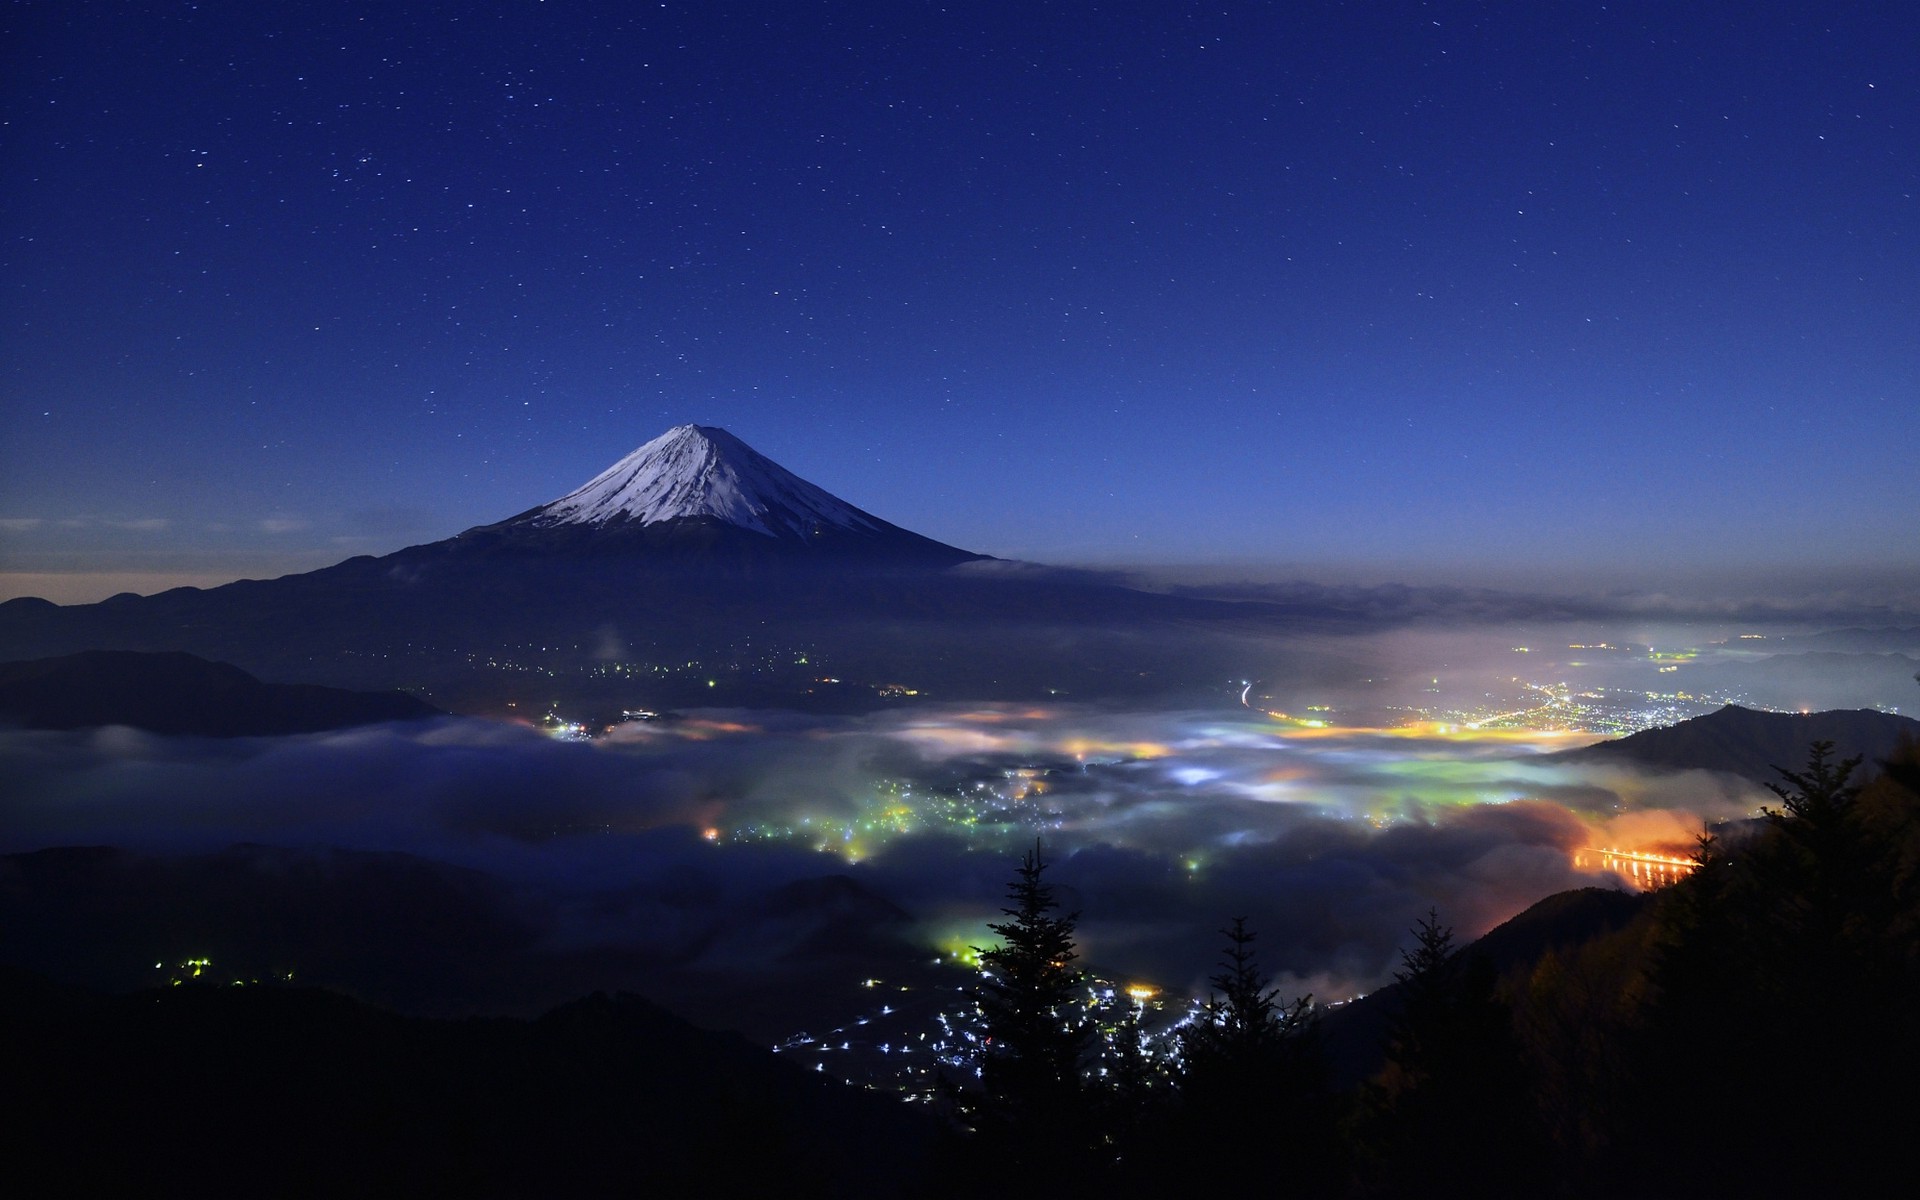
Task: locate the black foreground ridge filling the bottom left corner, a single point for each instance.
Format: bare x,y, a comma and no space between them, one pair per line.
258,1090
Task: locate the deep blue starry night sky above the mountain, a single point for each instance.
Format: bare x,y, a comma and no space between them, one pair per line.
1343,289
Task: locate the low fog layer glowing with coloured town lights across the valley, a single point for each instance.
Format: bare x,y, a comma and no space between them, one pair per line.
1163,825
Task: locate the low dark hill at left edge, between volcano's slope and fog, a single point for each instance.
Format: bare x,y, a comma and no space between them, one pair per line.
183,694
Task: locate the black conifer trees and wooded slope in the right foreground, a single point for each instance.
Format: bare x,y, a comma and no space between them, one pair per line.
1750,1030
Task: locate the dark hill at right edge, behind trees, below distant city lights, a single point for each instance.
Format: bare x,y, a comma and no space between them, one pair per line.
1750,744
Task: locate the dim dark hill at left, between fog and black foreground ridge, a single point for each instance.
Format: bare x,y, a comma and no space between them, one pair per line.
393,928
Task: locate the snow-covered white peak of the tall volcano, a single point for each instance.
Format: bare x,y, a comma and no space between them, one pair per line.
700,471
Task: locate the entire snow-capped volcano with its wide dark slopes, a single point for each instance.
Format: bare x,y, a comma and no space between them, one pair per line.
692,571
